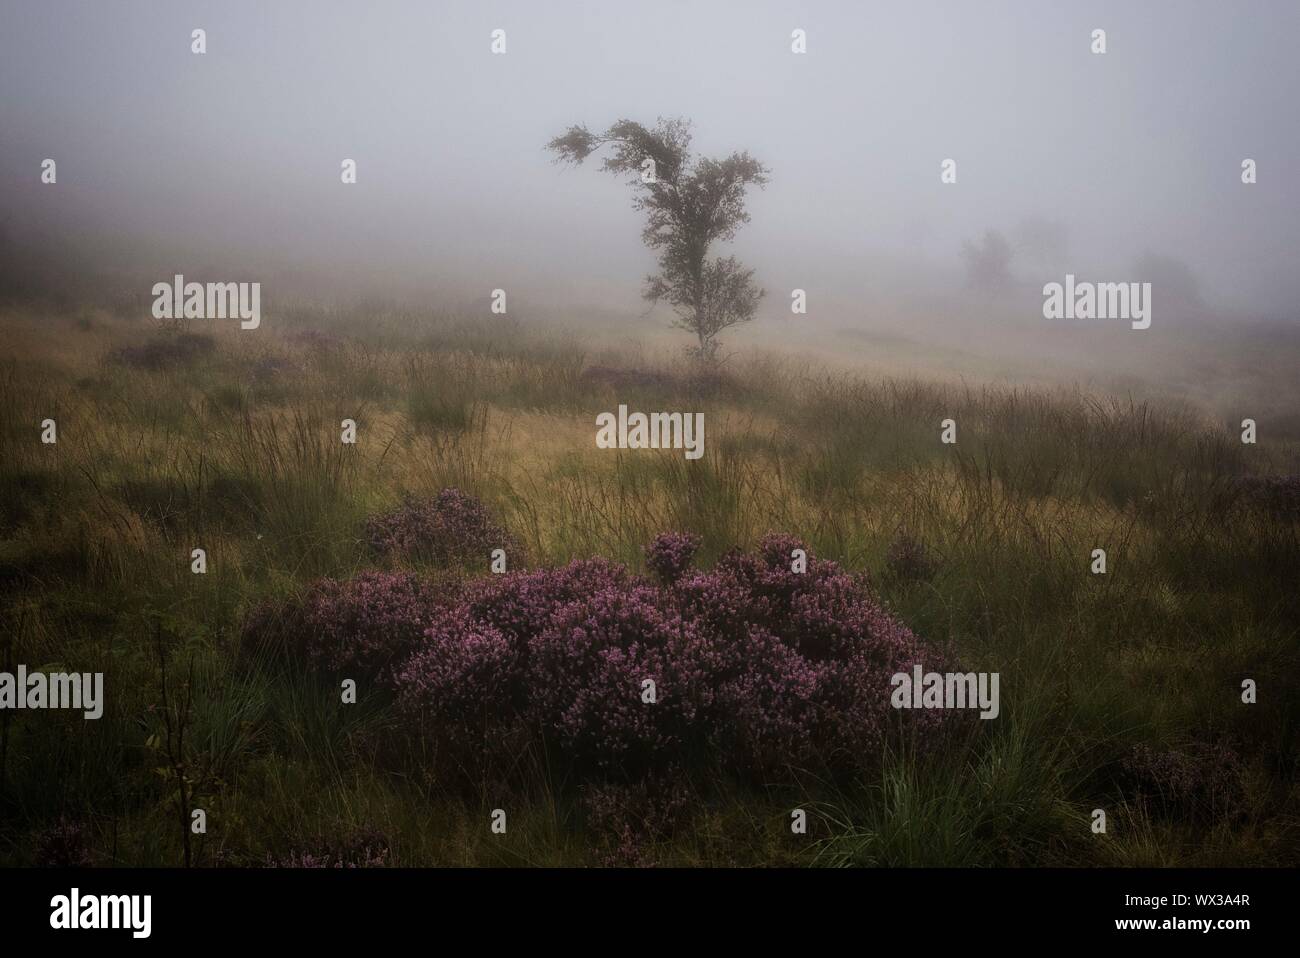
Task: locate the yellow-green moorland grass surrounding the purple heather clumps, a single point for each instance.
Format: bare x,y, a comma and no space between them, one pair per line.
237,450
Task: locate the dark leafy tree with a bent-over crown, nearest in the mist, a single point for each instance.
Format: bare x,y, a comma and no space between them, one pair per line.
690,205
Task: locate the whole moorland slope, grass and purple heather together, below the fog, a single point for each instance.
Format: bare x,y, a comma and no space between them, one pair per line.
523,691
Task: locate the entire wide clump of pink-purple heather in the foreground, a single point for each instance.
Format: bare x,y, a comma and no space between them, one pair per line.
751,669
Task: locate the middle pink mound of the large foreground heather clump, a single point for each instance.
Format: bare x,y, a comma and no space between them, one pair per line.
556,652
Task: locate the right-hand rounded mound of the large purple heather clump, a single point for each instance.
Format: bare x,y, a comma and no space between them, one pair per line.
798,665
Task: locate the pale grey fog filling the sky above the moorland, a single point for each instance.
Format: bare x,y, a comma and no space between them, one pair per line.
229,163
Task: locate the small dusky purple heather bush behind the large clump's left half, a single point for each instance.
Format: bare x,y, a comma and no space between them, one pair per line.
449,530
